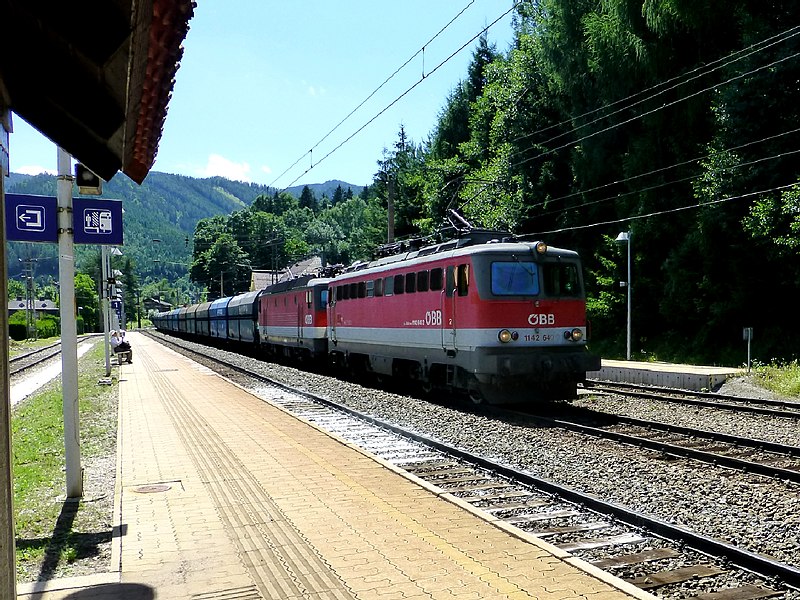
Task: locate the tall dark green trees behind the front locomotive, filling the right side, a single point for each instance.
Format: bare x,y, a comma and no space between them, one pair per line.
677,121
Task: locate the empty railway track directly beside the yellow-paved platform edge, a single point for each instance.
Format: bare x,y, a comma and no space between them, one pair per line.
655,555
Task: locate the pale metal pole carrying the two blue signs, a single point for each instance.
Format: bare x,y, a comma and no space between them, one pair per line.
69,332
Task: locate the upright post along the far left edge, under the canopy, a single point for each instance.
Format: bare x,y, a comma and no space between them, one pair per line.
8,565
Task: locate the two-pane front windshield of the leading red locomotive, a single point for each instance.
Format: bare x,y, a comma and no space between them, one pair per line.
531,279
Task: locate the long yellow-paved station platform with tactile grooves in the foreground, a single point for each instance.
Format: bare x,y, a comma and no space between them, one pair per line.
221,495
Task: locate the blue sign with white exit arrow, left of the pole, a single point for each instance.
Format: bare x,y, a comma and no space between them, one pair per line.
31,218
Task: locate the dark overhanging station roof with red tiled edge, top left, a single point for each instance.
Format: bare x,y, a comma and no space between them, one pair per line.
94,76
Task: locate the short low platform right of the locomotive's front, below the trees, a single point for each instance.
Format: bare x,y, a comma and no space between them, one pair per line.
683,377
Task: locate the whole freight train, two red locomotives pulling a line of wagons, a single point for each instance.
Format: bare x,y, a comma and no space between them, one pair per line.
485,315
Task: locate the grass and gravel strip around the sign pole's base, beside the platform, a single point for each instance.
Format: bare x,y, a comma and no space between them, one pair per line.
56,538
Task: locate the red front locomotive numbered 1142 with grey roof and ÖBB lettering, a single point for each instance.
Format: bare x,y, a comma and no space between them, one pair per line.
500,320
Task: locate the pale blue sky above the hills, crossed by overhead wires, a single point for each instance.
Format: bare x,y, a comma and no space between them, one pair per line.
261,82
